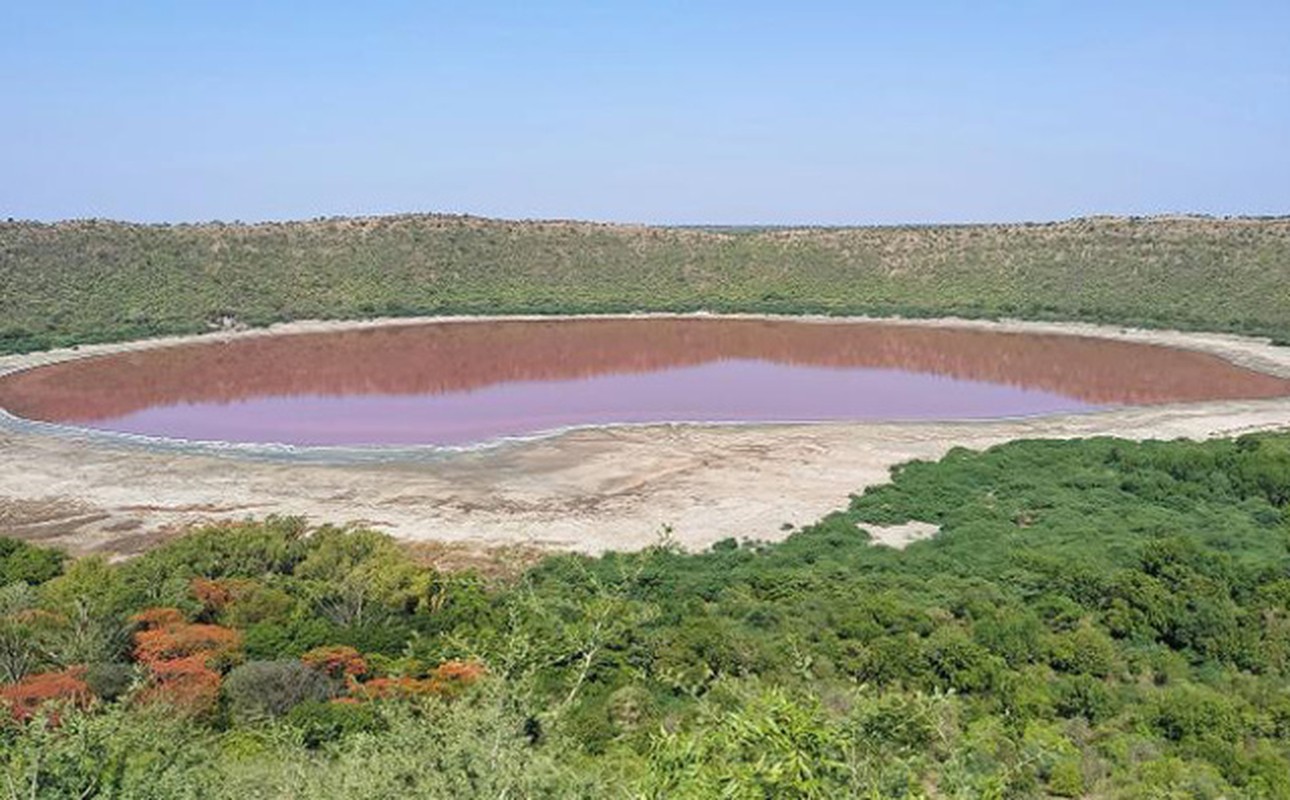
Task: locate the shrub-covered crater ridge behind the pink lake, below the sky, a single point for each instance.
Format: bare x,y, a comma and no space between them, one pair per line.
83,282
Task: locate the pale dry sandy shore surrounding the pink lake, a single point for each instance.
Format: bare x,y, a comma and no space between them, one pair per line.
589,491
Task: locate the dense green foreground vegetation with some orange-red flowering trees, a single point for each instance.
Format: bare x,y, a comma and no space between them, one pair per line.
1097,619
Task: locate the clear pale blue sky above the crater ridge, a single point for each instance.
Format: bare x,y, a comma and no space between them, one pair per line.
653,112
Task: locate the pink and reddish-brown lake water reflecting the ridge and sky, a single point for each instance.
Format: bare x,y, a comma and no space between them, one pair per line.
461,383
